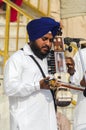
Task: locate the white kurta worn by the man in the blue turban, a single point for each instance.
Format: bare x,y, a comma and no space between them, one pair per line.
31,108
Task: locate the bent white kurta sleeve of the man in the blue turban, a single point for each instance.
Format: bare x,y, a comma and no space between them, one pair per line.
13,83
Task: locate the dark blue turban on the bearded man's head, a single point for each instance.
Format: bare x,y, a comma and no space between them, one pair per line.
39,27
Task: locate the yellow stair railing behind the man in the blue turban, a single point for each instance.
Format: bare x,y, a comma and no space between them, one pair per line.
21,11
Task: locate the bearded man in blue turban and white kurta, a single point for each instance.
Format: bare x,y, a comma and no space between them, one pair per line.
30,99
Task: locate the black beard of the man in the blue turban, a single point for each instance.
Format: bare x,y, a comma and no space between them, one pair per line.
36,50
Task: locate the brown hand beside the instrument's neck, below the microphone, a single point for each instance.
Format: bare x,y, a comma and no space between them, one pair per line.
70,65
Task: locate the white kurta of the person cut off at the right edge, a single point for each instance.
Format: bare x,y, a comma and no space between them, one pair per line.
80,109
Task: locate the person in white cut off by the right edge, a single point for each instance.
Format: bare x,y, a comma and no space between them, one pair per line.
78,77
